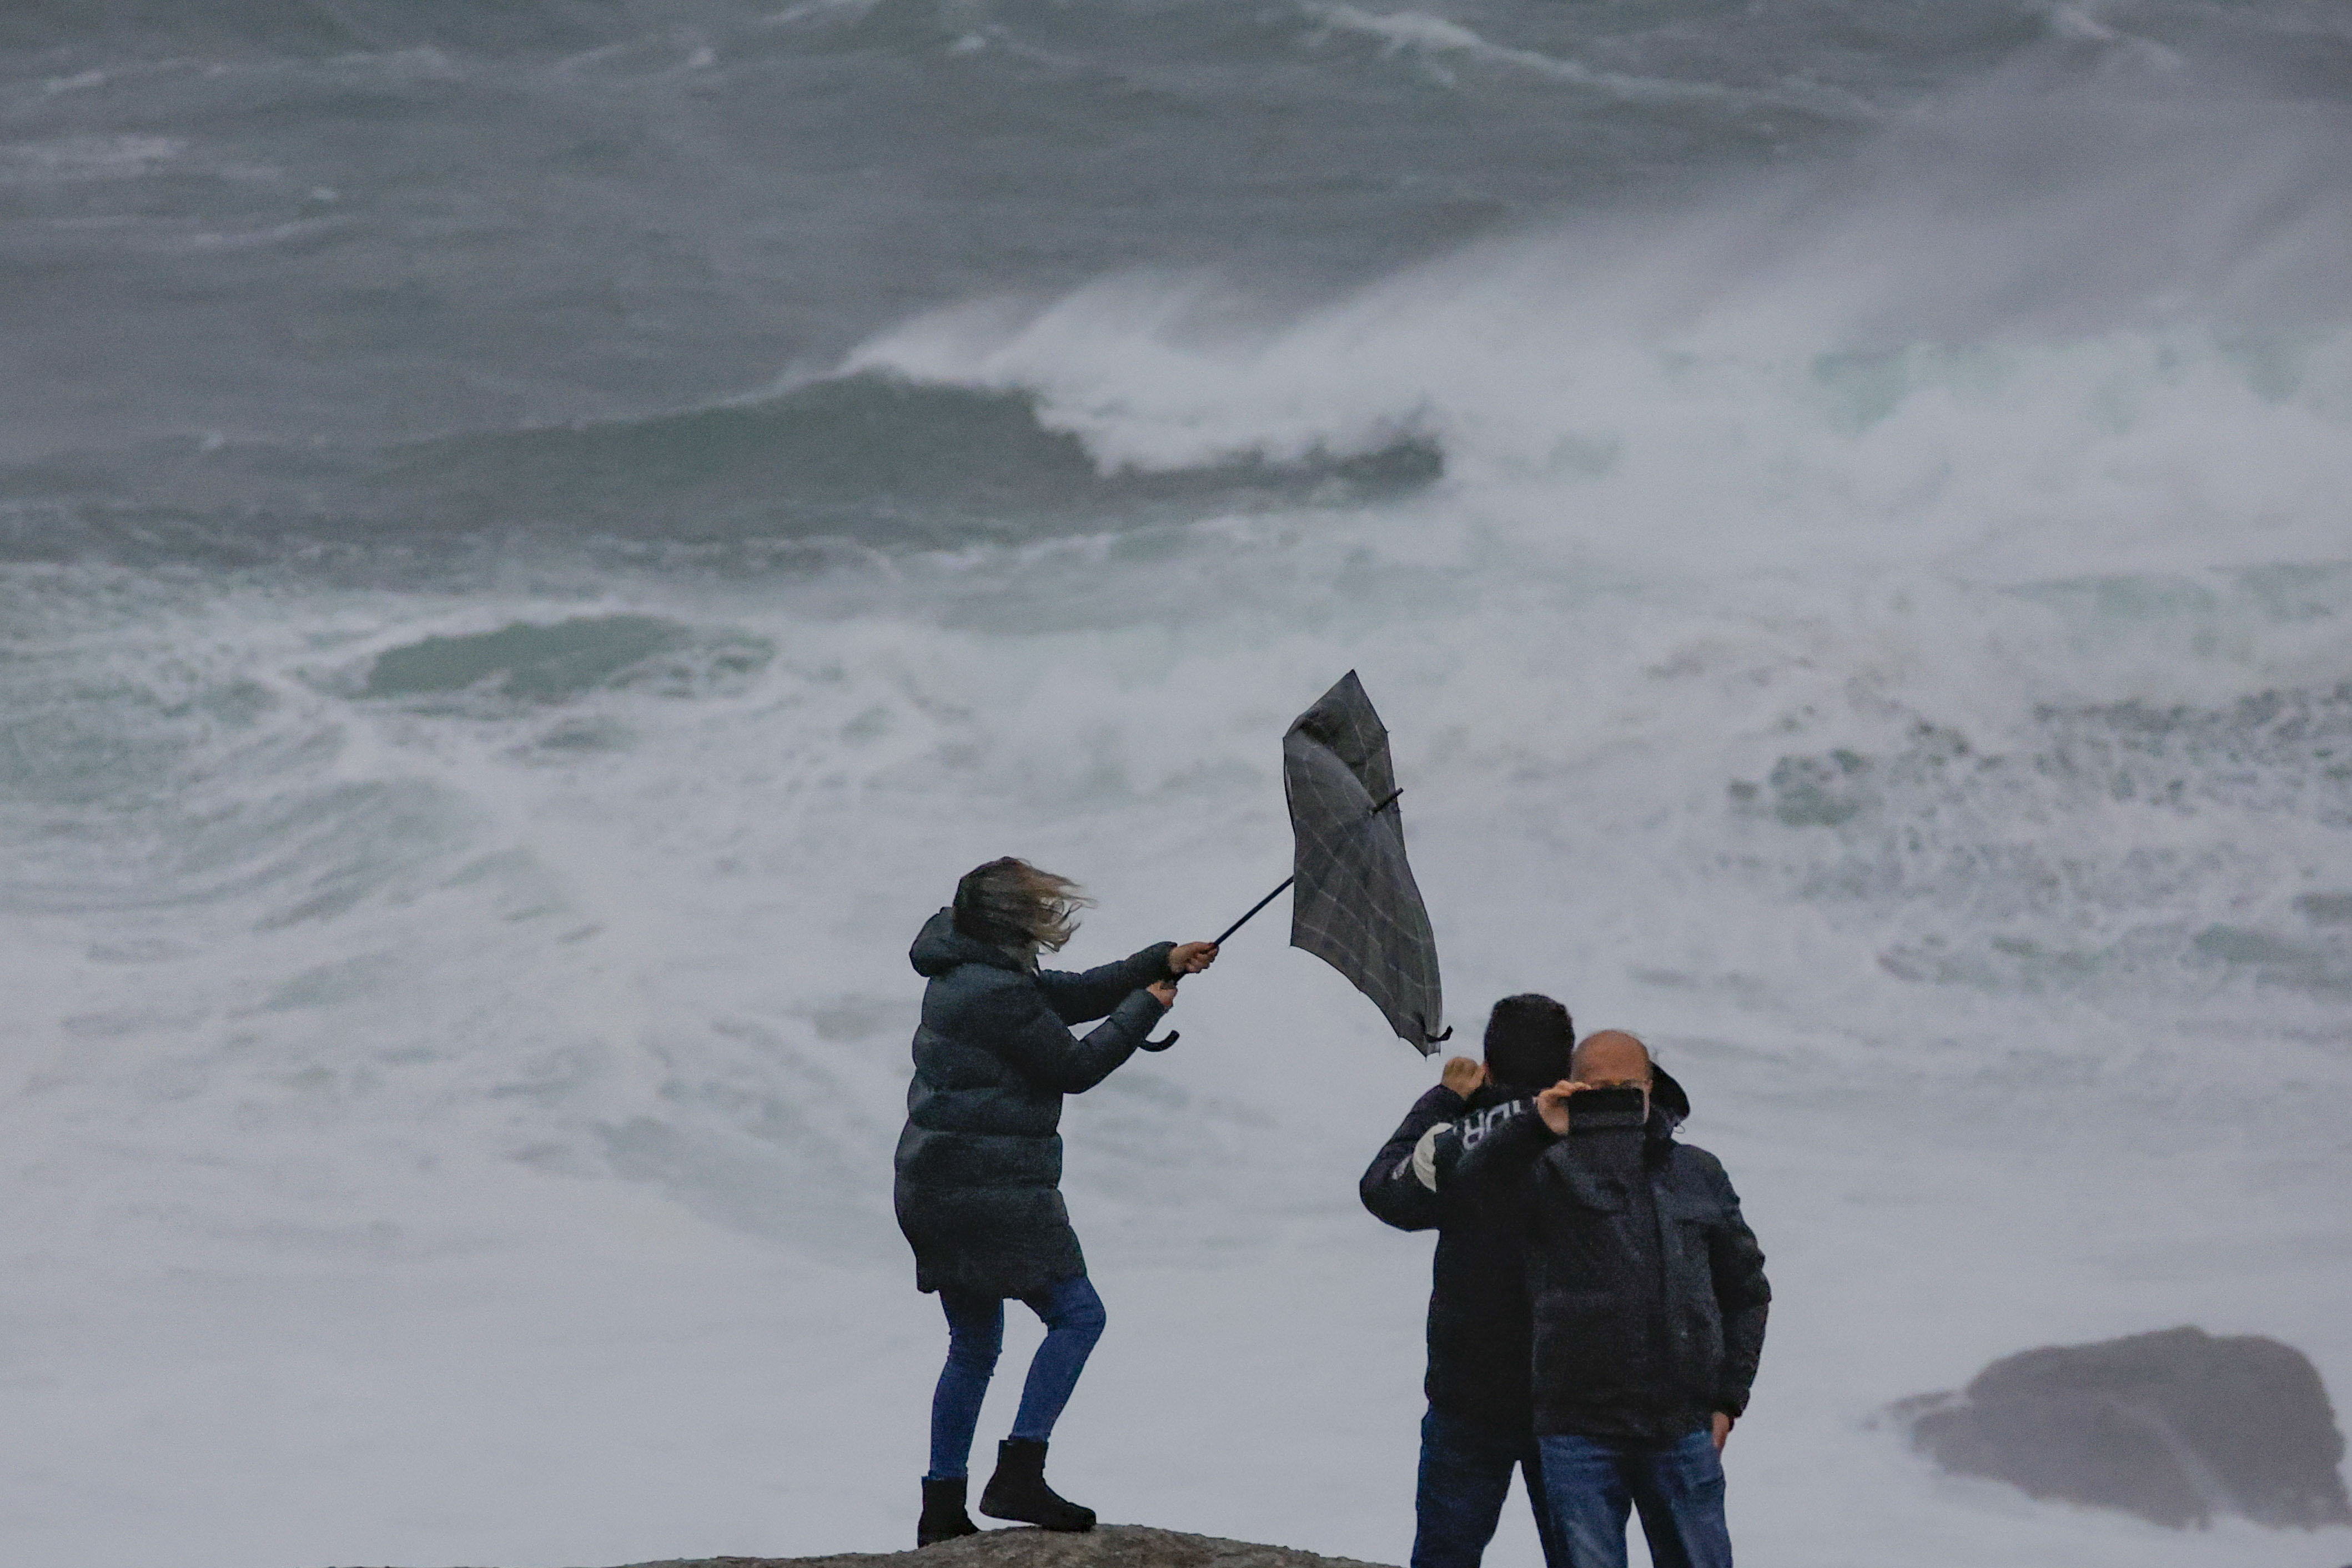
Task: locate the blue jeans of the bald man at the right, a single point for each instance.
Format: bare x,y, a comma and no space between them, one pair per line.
1678,1489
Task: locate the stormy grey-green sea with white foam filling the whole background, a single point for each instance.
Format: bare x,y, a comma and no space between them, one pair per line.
537,542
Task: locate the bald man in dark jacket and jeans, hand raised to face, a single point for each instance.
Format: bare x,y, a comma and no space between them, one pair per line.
1650,1306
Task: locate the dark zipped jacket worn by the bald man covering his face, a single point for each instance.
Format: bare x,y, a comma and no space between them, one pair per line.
1645,1285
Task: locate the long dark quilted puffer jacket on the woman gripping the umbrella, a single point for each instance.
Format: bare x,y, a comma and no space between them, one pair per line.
980,1162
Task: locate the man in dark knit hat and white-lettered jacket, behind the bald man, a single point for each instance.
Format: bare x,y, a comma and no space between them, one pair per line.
1478,1426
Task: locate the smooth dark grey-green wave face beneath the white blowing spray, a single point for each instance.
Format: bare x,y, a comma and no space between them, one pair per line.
864,460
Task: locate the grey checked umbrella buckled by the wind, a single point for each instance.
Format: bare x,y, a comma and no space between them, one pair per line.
1356,906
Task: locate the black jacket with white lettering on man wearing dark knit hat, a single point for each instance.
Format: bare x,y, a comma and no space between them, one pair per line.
1481,1329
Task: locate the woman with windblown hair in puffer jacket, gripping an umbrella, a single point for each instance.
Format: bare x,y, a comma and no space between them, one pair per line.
980,1162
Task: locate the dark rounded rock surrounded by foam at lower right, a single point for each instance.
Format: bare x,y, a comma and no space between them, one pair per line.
2172,1426
